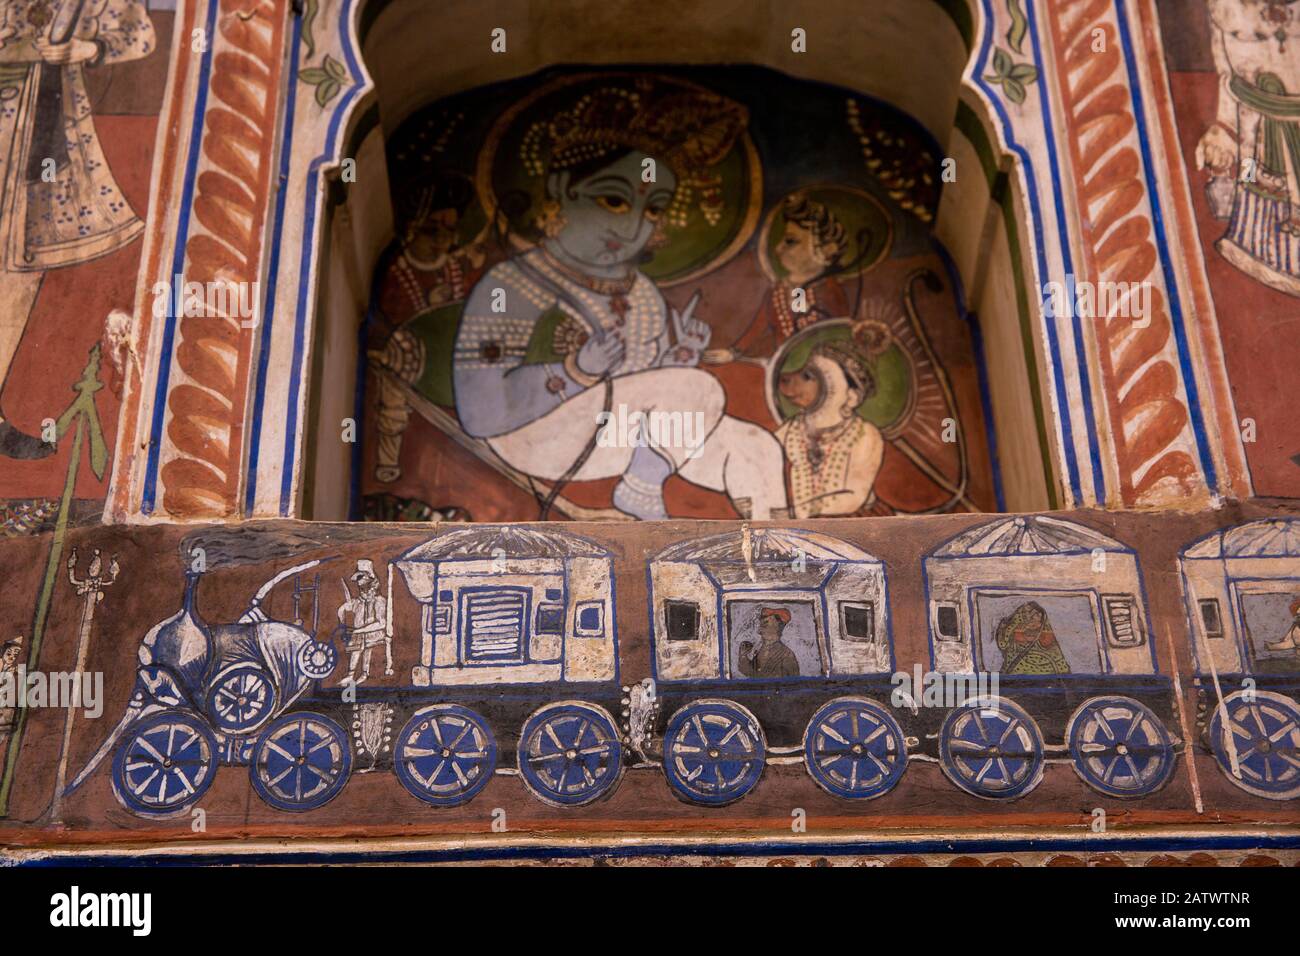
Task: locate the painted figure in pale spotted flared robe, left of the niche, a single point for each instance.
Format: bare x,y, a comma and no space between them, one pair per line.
59,202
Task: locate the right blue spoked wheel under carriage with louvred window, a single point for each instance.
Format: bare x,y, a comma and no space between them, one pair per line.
570,754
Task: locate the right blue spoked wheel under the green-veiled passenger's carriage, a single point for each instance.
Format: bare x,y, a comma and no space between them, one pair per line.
1120,747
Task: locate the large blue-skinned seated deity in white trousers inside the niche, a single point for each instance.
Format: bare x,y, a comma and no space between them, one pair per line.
571,328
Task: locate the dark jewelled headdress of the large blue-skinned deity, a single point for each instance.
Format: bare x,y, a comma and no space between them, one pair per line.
692,131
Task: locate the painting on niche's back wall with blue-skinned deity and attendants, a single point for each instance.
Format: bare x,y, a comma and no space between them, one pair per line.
690,293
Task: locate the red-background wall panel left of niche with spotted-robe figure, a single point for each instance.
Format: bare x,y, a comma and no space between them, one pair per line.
81,84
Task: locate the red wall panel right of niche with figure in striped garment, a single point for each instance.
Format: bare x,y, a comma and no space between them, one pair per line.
1234,79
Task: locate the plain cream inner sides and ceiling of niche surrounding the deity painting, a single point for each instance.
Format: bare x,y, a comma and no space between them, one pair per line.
872,53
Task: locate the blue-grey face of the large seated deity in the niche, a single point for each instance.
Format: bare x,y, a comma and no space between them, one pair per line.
610,215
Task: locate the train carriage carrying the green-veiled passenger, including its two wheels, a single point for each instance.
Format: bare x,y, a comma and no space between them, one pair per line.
1058,612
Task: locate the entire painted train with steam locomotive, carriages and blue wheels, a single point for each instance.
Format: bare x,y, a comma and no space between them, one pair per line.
765,647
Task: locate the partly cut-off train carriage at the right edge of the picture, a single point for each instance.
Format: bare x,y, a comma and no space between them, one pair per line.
1242,589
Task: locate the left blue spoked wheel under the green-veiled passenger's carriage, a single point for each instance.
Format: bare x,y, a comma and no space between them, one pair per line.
993,749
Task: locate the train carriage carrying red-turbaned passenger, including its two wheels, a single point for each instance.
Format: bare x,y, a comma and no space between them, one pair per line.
774,646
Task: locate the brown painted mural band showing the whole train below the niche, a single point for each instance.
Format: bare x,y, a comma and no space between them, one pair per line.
369,678
